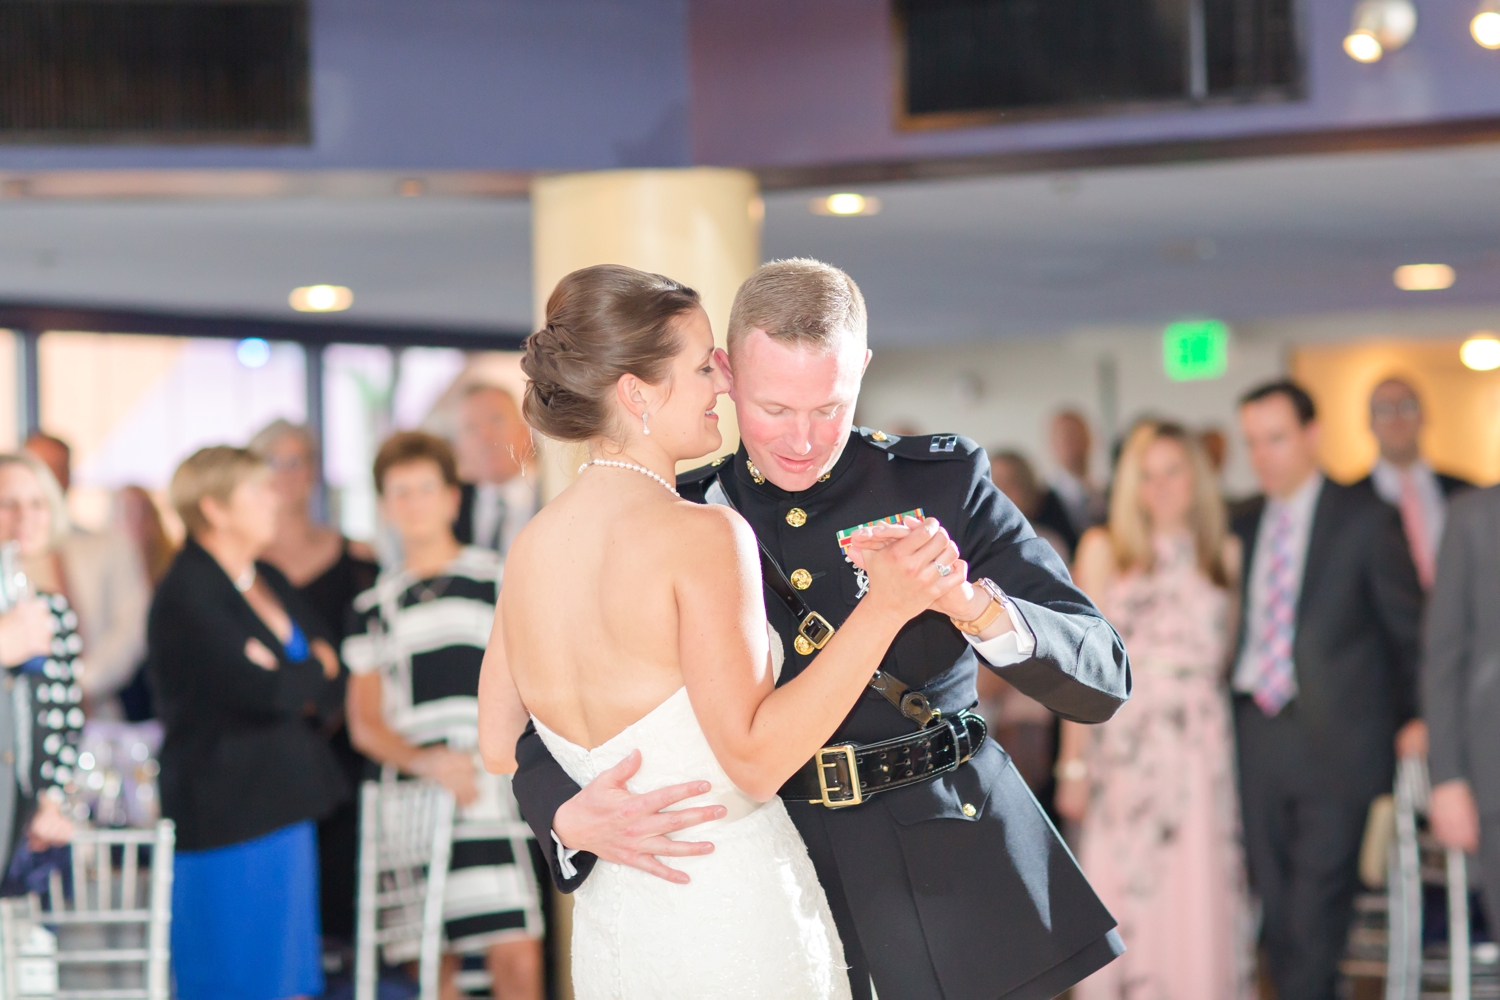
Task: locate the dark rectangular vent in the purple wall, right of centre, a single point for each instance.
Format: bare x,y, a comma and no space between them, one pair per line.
967,62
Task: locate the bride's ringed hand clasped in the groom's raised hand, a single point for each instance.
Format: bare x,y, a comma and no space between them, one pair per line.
904,566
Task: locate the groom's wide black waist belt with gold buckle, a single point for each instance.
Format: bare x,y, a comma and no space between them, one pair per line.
892,764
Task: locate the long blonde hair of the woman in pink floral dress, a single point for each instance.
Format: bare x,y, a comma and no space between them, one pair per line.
1129,525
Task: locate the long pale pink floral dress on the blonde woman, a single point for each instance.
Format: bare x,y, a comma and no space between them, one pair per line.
1162,837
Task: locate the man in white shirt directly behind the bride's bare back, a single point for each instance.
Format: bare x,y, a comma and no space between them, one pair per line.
494,451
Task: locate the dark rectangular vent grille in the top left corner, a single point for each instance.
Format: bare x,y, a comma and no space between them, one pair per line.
154,71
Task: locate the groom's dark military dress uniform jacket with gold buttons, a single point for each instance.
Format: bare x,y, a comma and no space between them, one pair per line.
958,887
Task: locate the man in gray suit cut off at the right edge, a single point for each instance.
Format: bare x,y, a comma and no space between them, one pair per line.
1460,686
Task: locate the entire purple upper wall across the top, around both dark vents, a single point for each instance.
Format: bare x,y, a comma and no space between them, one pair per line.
592,85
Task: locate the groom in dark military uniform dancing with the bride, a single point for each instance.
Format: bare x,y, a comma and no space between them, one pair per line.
952,884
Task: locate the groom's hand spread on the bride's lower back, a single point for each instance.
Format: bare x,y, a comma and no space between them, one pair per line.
613,822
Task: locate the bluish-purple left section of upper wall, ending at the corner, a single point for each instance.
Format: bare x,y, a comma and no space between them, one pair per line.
466,85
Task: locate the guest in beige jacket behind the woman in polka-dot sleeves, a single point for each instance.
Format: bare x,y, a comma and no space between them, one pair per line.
106,584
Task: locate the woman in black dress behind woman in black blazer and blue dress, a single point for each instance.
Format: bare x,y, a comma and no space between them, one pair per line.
329,572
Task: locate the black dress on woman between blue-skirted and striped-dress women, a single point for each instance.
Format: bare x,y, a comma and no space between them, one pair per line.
332,596
